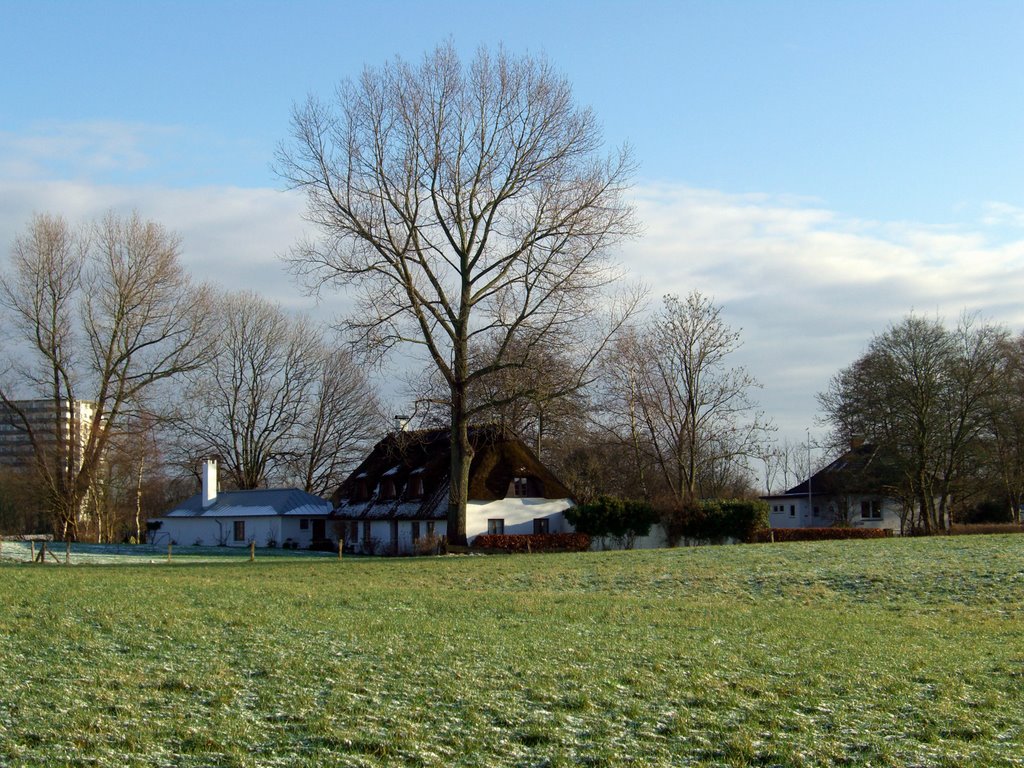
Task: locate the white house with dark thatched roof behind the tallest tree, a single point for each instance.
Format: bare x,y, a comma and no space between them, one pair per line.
396,502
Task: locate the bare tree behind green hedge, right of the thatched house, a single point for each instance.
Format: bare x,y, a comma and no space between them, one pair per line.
680,408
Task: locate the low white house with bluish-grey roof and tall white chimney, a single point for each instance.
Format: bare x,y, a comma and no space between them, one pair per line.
269,518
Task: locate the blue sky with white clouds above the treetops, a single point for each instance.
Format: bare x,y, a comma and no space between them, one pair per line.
820,168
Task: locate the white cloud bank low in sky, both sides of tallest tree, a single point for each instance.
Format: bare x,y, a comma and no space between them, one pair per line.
807,286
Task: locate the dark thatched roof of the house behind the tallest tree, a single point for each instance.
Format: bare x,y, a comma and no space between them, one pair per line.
403,458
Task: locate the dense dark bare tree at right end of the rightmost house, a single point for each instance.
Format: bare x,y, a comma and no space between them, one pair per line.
923,394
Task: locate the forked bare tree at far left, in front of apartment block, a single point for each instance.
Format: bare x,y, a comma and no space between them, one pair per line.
102,315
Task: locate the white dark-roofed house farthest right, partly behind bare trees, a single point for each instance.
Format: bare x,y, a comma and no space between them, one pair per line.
850,491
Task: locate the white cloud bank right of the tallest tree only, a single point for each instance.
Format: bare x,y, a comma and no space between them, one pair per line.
809,287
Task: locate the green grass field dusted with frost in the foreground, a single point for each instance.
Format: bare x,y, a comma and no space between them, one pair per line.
885,653
